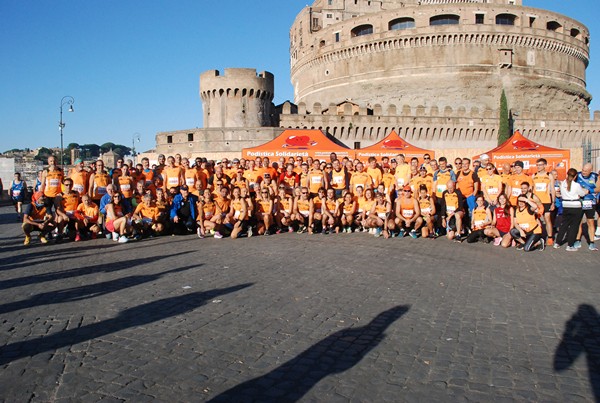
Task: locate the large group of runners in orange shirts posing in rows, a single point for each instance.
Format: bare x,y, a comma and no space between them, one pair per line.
388,197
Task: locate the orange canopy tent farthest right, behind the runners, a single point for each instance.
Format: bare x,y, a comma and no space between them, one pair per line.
518,147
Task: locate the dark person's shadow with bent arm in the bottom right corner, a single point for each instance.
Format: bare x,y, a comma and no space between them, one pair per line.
581,336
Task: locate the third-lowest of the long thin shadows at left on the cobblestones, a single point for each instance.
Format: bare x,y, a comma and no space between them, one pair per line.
81,271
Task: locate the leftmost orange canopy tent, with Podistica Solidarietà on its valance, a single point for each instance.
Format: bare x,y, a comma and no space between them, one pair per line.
299,142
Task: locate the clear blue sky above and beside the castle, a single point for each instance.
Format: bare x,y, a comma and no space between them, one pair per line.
134,66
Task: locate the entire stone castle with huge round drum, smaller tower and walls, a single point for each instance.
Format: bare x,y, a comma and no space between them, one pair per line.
432,70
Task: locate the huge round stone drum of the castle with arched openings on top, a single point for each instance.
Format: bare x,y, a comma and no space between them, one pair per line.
439,53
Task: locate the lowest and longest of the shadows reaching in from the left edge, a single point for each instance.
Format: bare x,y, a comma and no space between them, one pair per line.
137,316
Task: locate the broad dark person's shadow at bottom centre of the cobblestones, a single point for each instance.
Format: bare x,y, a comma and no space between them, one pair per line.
334,354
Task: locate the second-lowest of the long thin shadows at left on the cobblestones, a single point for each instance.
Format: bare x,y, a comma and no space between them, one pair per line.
87,291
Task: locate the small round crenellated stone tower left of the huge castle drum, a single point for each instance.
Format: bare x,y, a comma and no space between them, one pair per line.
238,98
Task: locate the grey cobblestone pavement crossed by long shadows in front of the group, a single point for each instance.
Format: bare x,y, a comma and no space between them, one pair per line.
329,318
